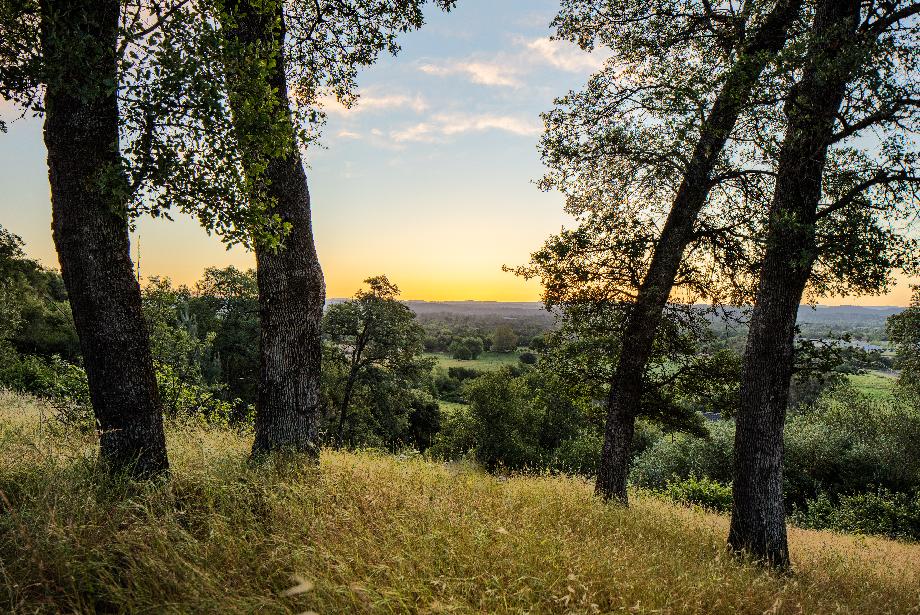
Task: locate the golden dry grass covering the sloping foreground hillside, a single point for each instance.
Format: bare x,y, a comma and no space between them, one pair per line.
369,533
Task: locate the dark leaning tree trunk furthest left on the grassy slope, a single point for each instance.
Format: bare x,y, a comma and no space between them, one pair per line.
90,226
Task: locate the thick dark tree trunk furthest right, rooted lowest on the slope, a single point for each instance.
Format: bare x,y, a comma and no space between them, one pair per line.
758,523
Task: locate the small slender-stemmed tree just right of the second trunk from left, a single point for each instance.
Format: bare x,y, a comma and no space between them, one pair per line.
381,342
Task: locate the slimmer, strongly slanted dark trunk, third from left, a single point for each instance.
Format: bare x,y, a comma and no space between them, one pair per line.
626,387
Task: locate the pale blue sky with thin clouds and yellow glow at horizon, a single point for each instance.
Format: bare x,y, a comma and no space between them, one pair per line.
429,179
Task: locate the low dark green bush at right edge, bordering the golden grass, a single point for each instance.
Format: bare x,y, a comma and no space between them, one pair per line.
895,515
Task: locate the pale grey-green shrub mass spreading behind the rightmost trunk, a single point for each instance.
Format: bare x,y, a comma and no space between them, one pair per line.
846,444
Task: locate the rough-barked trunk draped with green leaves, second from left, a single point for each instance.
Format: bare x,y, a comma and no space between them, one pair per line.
292,292
